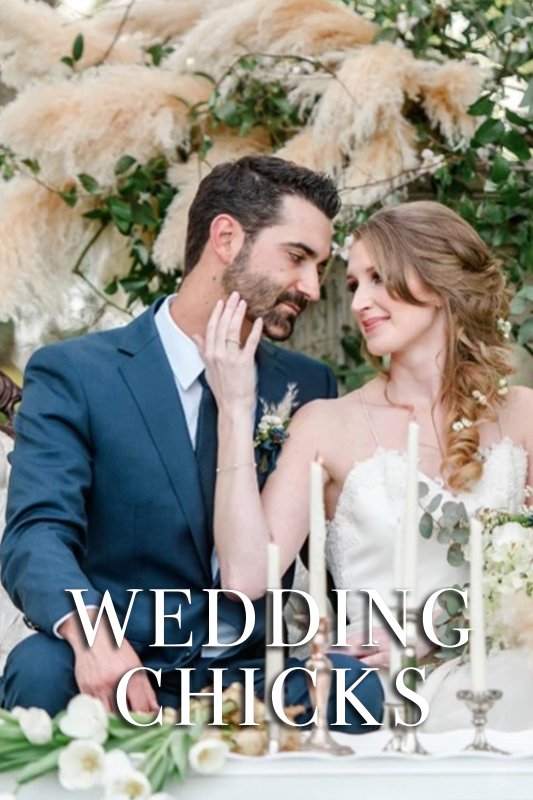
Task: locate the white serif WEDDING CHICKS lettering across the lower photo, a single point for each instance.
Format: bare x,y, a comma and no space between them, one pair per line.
402,627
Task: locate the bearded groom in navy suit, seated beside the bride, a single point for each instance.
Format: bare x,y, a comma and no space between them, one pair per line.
113,469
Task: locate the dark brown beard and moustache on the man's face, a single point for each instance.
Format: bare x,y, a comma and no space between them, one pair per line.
263,296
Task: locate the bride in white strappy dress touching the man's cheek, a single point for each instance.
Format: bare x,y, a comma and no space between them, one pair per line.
431,304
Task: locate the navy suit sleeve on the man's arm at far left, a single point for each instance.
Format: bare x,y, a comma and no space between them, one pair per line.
45,535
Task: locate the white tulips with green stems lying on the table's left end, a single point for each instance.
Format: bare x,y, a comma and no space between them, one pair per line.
90,748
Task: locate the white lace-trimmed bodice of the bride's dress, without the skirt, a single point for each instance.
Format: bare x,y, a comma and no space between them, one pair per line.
361,536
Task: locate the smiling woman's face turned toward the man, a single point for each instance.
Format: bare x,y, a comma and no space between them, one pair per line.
389,325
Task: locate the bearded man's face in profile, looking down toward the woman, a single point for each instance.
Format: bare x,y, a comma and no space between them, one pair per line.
278,272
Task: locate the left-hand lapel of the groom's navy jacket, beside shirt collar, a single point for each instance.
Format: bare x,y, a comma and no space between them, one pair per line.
149,377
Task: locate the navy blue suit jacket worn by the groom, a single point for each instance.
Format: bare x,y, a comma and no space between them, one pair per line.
104,491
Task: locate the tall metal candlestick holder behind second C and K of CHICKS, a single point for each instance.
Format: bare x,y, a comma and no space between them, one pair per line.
319,739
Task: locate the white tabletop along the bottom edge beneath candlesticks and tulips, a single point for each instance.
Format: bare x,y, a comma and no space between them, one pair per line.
446,774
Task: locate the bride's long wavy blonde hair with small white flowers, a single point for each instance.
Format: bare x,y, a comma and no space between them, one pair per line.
452,261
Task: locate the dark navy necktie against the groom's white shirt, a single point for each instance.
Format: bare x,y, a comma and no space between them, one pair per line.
206,450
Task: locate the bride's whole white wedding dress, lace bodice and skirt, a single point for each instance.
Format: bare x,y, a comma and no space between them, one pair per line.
360,552
